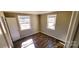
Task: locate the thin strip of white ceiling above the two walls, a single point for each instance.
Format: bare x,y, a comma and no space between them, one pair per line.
33,12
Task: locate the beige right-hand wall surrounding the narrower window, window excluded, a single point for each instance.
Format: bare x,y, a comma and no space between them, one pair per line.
62,22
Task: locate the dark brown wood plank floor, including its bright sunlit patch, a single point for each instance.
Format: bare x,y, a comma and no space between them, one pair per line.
39,40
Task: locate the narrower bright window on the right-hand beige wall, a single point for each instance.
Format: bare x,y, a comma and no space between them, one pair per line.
51,21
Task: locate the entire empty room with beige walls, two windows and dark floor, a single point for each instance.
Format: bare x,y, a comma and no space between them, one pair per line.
39,29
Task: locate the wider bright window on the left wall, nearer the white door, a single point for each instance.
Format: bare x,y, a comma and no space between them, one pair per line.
24,22
